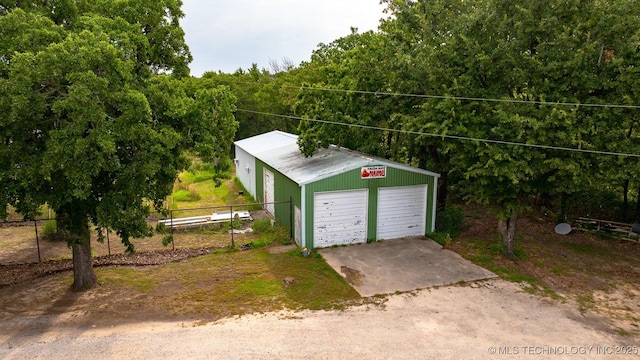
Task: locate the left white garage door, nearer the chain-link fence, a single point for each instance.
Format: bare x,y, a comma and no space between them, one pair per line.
340,218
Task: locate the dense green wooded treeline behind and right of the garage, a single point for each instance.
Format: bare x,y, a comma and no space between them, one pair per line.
554,73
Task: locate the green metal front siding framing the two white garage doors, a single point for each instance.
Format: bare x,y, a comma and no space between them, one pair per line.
351,180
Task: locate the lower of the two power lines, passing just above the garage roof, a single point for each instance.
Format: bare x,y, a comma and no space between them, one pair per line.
454,137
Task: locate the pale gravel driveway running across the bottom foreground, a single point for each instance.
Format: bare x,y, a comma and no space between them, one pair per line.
492,319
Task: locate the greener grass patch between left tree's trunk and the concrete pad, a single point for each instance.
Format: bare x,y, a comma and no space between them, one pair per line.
232,282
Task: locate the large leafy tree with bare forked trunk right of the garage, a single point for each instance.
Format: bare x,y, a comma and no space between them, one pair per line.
523,55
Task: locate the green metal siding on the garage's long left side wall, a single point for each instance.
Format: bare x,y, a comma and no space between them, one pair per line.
284,190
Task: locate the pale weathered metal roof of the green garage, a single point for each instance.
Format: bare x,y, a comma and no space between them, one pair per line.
288,160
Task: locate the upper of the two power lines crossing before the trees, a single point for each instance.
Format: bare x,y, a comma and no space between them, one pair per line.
446,97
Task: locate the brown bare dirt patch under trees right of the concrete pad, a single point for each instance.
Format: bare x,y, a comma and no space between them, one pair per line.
598,274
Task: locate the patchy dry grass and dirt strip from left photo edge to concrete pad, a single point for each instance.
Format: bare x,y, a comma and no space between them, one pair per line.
206,288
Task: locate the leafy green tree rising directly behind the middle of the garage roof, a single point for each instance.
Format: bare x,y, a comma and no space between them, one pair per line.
353,69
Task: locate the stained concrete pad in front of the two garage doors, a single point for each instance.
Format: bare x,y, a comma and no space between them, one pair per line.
401,265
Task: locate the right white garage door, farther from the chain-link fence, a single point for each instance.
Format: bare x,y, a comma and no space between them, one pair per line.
402,211
